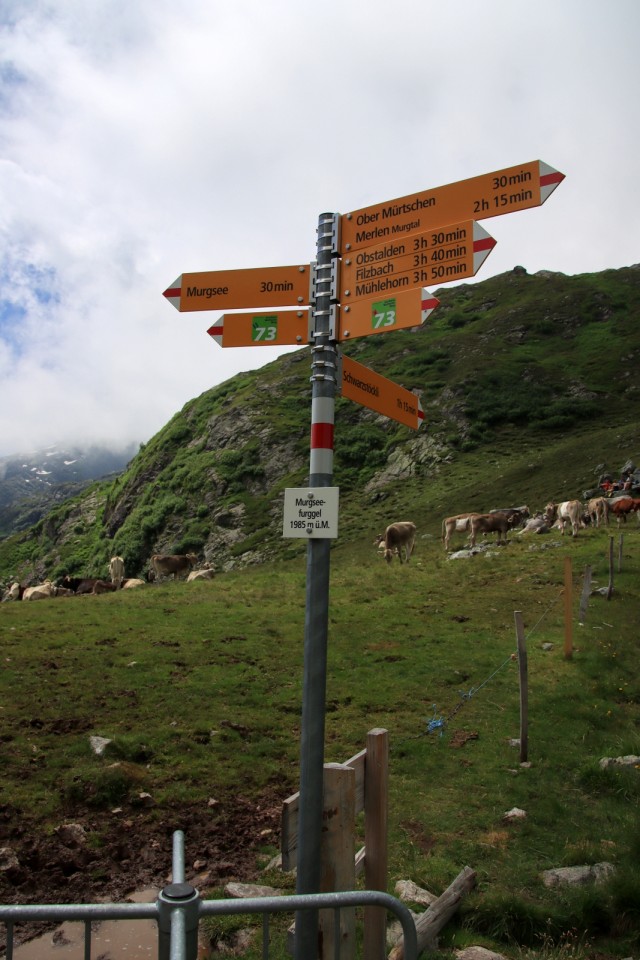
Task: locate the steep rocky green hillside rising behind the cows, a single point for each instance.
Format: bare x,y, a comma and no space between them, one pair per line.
529,385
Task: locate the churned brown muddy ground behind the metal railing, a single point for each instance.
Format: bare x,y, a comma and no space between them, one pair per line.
118,852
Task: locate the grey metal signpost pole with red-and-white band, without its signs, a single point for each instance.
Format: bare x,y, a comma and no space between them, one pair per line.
323,379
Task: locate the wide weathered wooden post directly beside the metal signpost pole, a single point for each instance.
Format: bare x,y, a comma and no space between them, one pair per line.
337,860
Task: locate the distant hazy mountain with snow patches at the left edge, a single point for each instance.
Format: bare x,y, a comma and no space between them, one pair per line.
32,483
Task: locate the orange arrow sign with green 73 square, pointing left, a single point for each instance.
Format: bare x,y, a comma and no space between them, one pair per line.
261,329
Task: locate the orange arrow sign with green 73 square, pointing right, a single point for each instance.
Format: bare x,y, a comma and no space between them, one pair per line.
398,311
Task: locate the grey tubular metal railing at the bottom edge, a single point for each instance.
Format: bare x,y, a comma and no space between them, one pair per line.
179,909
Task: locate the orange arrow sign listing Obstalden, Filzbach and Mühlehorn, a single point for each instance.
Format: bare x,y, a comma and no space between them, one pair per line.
438,255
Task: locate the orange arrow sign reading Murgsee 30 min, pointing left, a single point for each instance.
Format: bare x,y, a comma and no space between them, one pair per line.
238,289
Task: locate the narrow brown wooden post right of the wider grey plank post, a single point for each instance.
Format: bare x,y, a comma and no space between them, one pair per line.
376,808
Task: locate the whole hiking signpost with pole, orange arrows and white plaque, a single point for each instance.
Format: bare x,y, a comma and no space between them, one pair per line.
389,252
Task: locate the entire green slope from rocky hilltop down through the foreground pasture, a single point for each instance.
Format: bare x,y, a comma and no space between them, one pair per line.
529,386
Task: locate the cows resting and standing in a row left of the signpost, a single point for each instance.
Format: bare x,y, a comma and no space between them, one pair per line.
160,566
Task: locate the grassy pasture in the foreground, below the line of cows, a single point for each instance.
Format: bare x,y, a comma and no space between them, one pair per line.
199,686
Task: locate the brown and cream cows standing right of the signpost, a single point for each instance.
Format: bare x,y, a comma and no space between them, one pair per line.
569,513
